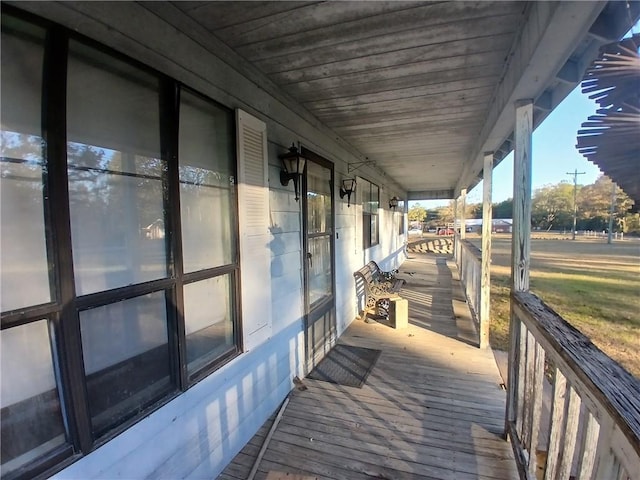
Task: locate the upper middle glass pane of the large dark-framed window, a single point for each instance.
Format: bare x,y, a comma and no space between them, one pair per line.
116,175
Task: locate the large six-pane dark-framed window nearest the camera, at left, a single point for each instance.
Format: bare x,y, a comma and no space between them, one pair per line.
119,244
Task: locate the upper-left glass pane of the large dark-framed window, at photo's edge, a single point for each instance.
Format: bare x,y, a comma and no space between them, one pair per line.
24,270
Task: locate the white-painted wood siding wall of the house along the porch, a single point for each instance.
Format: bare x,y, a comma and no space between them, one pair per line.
200,431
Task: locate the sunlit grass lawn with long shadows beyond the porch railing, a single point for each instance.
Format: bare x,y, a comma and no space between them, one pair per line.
592,285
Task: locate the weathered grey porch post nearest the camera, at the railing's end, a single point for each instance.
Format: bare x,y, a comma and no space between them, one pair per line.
520,240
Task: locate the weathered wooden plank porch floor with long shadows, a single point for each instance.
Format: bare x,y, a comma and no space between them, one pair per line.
432,408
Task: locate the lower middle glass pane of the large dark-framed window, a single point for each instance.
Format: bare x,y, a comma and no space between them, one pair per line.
126,358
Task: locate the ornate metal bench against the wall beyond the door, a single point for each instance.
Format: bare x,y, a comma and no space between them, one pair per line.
378,287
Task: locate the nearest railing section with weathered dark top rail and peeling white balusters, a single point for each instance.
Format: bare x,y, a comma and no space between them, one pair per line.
573,412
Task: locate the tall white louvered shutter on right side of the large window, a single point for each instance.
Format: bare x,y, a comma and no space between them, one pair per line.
255,237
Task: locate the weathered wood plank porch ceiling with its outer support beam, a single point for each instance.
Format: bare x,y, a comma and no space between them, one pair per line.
422,89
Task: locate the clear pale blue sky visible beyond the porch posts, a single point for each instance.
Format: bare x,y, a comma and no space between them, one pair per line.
553,150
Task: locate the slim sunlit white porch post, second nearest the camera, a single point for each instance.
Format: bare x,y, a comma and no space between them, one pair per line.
485,282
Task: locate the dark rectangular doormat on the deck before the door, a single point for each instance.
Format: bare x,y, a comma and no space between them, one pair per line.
346,365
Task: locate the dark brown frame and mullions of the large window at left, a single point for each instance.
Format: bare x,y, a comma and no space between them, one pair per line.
63,311
